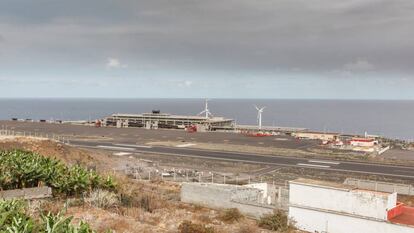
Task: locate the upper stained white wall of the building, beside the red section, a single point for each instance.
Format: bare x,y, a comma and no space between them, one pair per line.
357,202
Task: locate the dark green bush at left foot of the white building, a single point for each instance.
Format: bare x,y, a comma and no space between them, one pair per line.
278,221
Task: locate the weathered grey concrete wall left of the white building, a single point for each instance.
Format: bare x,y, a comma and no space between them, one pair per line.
221,196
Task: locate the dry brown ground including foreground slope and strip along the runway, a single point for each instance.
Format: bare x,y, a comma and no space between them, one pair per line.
168,212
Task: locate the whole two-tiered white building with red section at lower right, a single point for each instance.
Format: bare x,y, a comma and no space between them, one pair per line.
318,206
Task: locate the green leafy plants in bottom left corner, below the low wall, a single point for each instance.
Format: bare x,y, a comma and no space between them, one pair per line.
14,219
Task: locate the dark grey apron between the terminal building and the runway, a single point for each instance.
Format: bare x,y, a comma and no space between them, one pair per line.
132,135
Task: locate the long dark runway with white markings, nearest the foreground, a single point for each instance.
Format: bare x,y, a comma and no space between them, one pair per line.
330,165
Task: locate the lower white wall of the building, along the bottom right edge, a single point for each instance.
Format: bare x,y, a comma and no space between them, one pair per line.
318,221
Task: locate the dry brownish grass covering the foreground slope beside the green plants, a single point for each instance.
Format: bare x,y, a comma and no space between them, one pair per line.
143,207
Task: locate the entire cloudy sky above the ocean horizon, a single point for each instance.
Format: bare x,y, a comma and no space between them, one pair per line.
301,49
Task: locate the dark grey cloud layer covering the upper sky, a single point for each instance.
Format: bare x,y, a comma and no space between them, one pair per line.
313,36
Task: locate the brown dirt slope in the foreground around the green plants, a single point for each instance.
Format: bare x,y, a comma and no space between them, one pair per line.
167,212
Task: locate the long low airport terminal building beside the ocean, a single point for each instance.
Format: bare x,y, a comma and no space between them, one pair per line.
156,120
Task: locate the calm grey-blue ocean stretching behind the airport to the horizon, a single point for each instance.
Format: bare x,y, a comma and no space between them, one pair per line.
390,118
